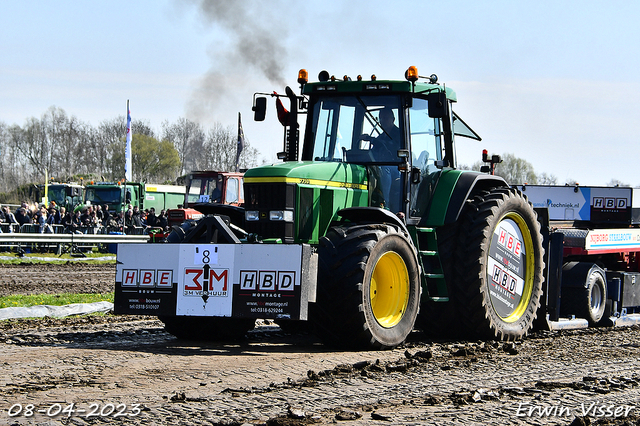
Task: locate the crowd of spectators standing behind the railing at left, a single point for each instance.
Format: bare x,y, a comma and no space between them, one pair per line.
85,219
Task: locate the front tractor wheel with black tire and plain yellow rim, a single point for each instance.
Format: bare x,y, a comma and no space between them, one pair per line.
368,287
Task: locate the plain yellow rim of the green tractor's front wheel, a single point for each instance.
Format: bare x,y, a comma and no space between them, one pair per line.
389,289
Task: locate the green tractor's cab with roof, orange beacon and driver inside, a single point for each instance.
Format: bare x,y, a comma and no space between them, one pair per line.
401,131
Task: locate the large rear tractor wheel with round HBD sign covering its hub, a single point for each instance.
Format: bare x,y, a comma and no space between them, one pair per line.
499,266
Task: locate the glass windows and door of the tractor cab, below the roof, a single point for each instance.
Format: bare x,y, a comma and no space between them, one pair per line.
379,132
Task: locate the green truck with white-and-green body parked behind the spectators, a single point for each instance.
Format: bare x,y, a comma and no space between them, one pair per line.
117,196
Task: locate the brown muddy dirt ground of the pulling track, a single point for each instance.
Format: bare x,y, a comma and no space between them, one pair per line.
127,370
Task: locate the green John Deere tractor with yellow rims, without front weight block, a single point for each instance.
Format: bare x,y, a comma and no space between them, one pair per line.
403,239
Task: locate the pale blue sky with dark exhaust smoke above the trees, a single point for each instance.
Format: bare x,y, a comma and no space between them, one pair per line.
553,82
